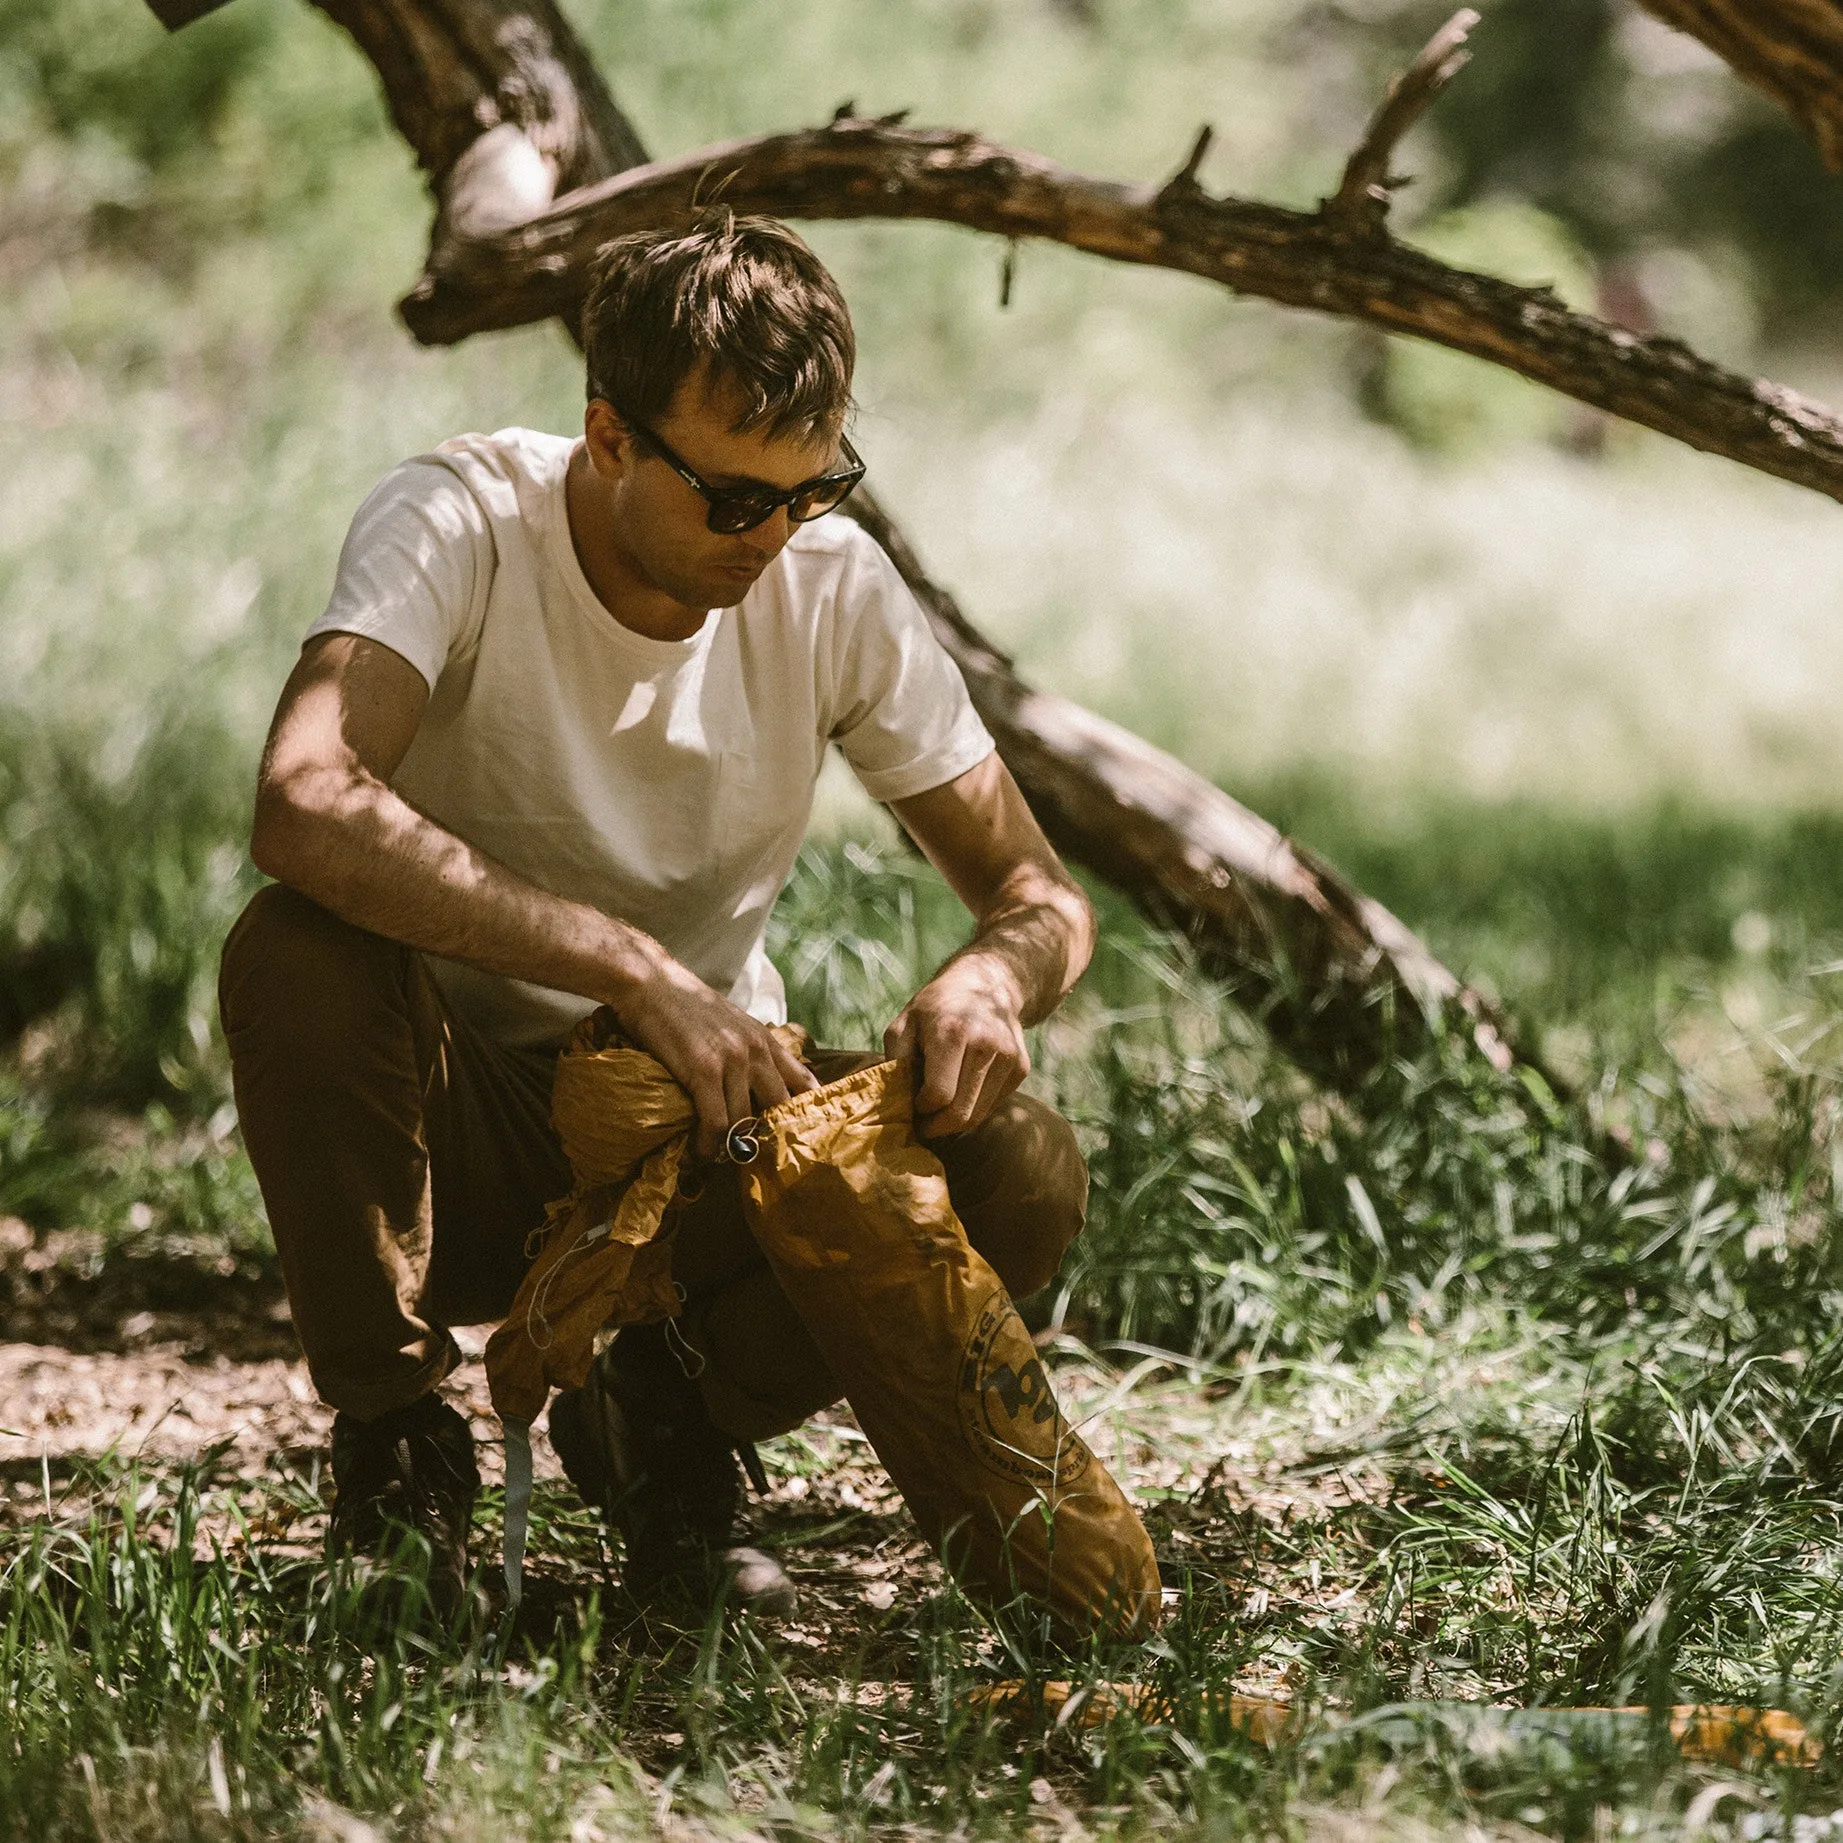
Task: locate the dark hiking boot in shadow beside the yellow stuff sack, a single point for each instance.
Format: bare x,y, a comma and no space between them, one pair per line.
639,1444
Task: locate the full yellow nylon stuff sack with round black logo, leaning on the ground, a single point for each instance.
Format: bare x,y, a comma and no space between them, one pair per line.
854,1217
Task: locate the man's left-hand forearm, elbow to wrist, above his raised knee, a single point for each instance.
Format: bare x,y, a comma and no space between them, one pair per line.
360,851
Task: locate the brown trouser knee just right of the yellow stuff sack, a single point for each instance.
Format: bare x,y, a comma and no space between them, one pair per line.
1020,1184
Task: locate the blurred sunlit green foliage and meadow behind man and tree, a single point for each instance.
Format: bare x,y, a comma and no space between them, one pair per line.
1562,694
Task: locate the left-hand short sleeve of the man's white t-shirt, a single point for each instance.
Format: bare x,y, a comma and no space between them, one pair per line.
416,569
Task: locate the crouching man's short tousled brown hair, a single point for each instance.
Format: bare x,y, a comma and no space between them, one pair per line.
740,296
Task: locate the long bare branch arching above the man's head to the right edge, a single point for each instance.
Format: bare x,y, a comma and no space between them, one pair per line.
860,169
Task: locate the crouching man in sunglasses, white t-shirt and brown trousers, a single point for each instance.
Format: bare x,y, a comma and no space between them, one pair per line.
554,747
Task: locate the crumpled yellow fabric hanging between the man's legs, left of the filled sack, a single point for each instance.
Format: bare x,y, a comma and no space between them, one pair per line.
607,1258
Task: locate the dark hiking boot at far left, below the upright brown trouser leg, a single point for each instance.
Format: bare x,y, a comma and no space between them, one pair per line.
410,1472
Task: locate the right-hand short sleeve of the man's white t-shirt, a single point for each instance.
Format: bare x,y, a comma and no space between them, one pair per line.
904,718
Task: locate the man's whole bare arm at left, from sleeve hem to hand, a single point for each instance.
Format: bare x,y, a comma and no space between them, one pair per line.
331,827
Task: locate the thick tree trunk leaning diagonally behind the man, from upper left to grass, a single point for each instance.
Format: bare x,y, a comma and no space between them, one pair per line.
504,108
